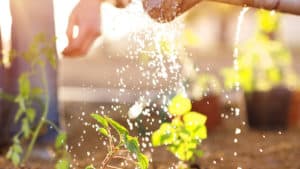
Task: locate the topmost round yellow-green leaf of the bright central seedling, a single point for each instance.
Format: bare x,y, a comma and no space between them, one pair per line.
179,105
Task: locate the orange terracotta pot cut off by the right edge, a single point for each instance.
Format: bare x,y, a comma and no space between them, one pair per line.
294,110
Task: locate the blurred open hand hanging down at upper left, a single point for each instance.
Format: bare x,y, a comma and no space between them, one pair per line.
85,15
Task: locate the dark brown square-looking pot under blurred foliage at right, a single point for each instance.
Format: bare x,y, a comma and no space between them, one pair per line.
268,110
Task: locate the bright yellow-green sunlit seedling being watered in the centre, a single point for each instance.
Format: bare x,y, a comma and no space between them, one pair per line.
184,133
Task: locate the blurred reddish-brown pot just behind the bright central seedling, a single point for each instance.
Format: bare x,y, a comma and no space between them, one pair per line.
209,106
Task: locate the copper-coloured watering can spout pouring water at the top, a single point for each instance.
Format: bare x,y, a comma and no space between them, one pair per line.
167,10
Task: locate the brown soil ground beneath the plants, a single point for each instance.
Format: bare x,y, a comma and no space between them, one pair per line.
224,149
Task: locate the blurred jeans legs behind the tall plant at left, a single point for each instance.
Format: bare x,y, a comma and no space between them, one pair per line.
30,17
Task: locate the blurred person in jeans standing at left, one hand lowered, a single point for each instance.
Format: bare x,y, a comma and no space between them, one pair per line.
29,18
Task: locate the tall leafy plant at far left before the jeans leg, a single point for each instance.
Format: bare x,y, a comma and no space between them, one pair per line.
27,98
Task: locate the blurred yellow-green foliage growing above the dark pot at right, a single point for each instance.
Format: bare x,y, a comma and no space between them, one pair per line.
263,62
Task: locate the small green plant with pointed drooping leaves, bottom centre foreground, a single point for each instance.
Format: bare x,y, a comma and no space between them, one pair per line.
124,146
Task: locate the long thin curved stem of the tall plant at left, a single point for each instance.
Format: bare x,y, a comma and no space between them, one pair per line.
43,118
